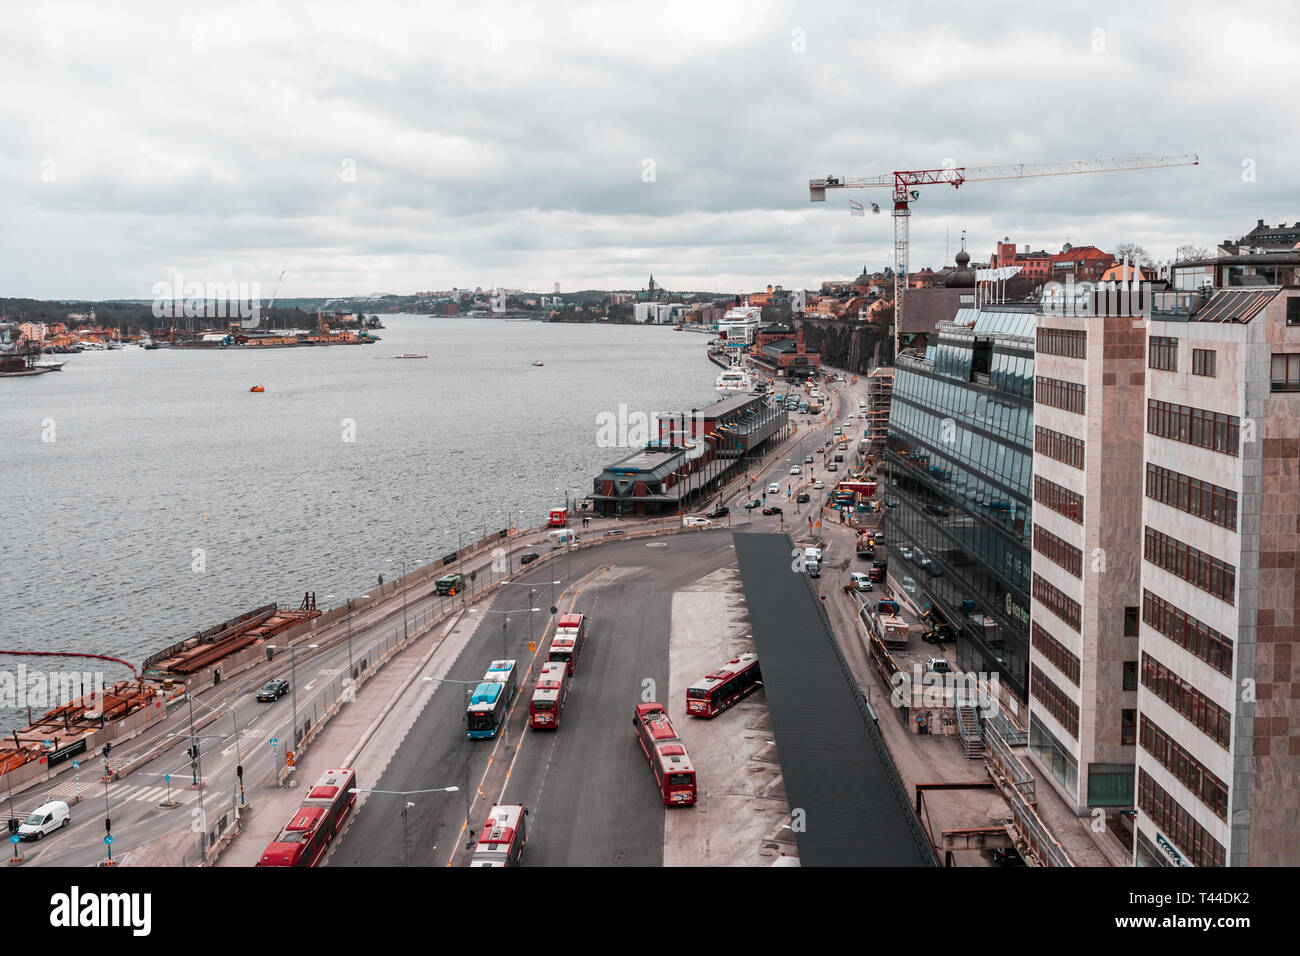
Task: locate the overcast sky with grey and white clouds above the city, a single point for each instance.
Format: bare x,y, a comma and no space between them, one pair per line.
413,146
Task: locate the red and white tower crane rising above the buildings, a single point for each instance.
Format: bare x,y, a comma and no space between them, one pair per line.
904,183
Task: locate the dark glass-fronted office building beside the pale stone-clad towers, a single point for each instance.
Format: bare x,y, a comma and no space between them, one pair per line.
959,481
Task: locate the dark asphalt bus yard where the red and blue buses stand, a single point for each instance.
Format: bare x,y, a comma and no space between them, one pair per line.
591,794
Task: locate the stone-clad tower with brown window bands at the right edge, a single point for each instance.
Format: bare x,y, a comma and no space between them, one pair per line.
1219,725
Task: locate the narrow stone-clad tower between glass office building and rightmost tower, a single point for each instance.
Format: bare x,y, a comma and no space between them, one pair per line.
1090,365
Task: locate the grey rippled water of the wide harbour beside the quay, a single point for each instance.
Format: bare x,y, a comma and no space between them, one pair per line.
172,499
